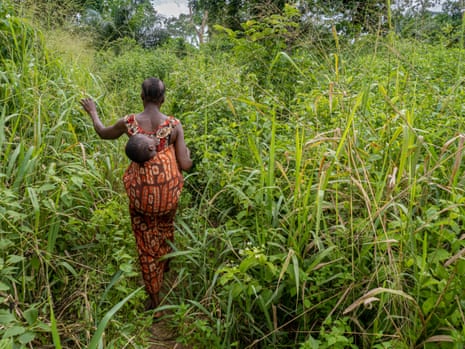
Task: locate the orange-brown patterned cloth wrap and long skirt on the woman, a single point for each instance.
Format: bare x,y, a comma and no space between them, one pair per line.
153,189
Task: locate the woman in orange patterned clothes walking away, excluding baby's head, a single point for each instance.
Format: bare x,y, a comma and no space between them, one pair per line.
153,186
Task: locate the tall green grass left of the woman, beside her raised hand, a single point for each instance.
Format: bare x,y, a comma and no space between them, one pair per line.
53,181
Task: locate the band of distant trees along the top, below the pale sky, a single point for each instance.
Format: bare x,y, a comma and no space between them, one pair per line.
112,20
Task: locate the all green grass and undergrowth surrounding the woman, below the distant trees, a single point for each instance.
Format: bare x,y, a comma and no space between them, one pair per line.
325,208
